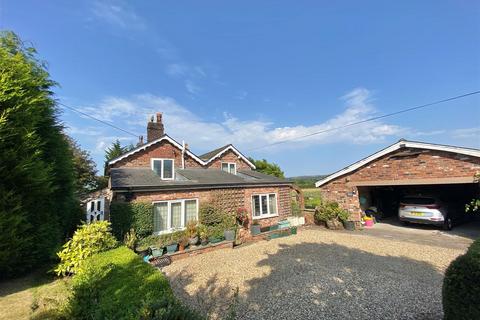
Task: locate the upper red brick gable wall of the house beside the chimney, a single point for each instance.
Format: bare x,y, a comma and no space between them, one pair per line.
163,149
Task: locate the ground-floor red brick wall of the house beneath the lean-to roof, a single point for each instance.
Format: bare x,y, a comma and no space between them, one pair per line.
229,199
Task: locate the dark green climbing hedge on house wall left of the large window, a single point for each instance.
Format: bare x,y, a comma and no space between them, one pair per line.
136,215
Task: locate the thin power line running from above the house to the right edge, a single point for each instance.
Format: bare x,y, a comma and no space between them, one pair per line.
369,119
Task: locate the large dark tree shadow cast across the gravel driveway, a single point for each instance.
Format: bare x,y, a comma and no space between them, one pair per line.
327,281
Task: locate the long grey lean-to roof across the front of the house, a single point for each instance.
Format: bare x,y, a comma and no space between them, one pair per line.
145,178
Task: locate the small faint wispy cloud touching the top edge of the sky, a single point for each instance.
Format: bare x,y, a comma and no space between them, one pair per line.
118,14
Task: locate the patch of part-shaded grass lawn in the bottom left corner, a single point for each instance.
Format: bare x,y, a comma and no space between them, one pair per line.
36,296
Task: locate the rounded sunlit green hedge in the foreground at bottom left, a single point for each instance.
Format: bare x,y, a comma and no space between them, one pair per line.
117,284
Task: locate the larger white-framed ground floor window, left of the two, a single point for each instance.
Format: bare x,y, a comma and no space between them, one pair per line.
173,215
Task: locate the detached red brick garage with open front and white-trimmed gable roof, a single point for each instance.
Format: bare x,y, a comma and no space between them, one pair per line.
444,177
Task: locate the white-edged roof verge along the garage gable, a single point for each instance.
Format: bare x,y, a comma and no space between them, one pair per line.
396,146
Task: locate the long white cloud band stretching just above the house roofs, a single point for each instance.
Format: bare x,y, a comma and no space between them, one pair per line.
181,123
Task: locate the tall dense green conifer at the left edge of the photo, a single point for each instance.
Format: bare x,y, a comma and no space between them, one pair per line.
37,202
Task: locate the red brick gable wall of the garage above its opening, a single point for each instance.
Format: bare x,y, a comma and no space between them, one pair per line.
426,165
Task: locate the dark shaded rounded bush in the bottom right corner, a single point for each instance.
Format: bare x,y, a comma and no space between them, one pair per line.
461,286
